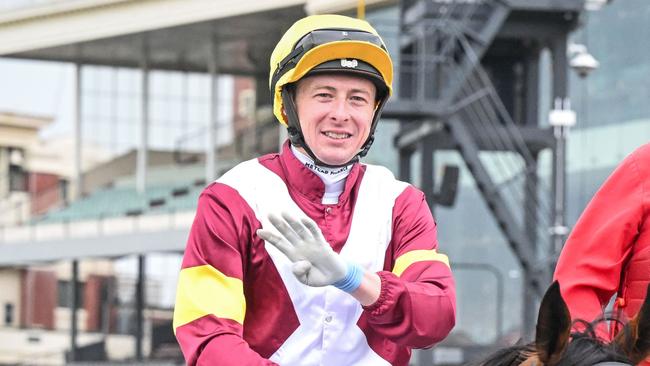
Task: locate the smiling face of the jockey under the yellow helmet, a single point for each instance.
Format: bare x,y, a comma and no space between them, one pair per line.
335,113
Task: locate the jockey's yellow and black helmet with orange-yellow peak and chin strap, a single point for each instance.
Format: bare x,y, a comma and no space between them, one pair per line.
327,44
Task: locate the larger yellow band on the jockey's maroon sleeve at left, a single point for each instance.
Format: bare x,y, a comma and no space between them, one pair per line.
204,290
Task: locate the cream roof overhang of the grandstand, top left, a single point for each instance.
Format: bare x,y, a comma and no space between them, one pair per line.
166,34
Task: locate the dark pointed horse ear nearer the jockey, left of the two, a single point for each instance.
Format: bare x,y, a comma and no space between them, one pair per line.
553,326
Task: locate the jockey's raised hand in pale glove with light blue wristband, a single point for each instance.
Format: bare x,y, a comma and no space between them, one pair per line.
314,261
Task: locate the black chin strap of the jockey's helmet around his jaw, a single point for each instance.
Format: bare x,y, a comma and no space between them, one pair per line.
298,140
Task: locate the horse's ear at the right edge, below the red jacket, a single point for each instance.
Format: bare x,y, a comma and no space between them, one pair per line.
636,334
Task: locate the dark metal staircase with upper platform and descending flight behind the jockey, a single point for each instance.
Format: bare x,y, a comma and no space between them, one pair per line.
443,85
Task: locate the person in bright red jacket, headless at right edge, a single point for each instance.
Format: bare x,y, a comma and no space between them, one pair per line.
608,251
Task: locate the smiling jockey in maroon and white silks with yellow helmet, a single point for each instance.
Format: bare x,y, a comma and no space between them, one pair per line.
309,257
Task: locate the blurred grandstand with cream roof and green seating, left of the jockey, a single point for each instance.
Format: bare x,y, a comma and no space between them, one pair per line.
137,203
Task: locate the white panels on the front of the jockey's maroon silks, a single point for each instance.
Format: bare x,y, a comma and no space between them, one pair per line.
328,333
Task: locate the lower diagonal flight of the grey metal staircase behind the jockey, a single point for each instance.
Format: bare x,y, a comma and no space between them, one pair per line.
506,176
